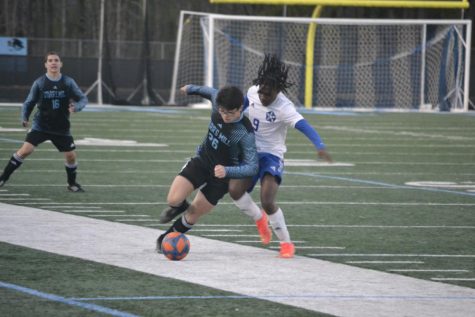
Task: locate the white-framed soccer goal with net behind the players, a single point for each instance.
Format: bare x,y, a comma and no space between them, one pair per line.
359,64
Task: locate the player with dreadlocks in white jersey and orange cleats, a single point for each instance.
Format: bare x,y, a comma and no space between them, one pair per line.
271,113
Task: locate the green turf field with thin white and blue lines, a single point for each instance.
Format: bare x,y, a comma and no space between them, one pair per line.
400,199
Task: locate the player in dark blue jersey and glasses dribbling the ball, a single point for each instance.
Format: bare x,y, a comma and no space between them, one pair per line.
228,151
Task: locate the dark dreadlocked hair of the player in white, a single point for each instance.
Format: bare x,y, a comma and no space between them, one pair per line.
273,73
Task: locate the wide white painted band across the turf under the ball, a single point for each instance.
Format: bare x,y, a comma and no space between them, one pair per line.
342,290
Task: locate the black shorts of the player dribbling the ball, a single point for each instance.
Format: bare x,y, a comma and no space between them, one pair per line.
199,174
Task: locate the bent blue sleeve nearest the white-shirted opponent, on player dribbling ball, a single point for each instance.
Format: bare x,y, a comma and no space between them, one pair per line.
250,162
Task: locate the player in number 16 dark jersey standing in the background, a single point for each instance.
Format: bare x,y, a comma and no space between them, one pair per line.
56,97
